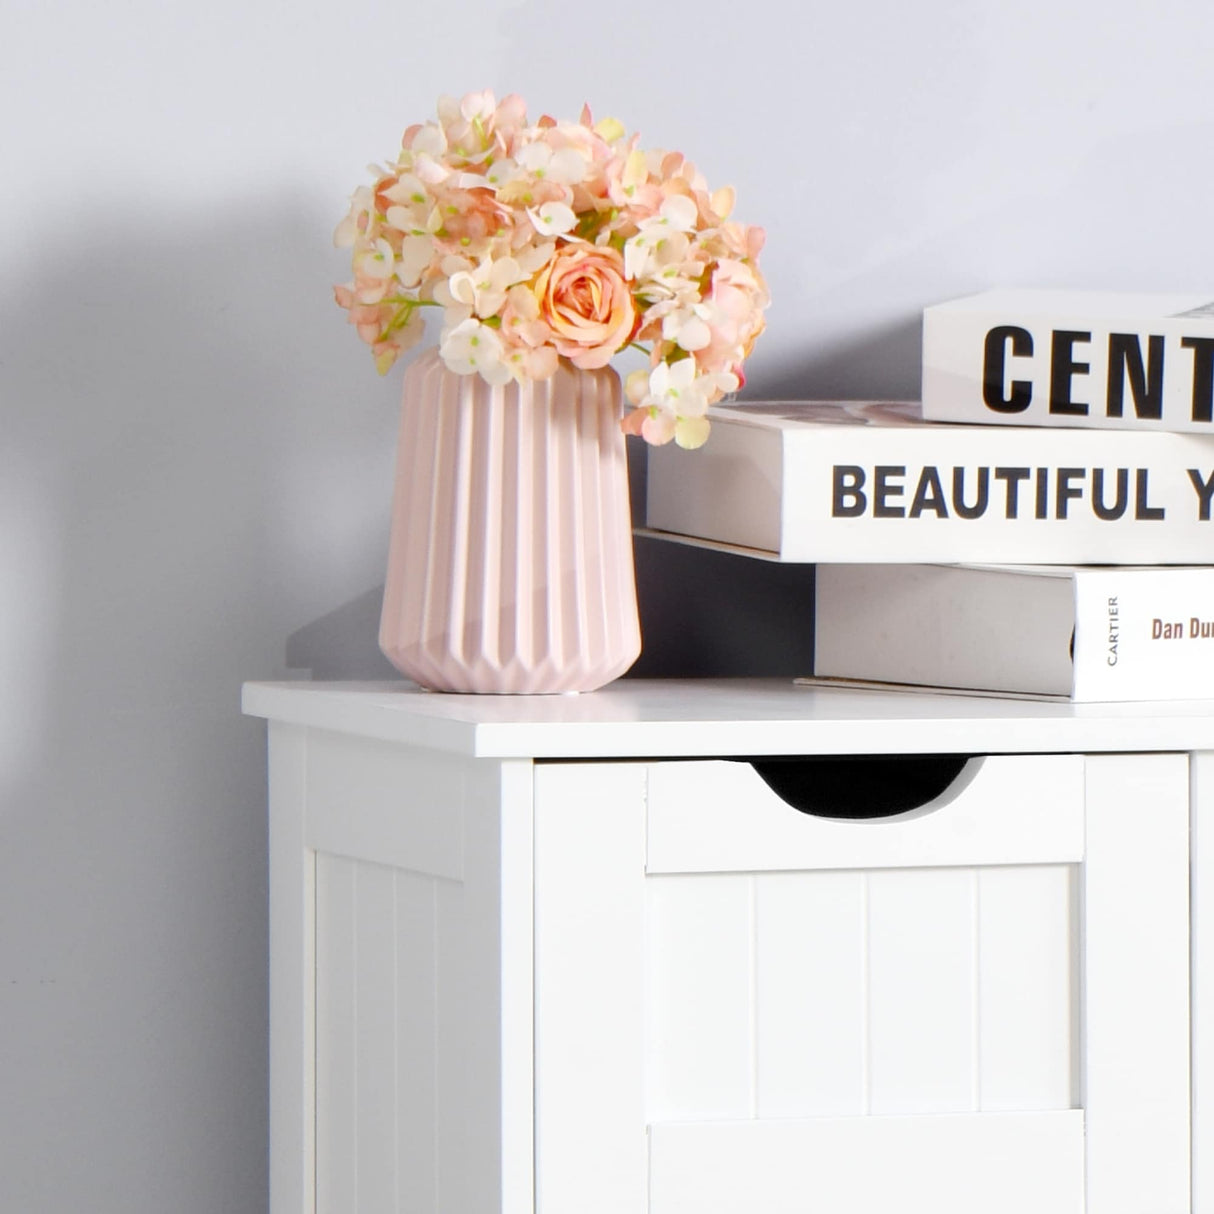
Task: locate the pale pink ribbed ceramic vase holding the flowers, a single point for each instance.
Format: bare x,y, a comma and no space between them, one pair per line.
510,563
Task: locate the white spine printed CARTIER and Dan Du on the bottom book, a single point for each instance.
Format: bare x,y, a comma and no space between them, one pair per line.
1144,634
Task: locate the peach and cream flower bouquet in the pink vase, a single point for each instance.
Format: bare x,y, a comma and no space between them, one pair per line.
557,241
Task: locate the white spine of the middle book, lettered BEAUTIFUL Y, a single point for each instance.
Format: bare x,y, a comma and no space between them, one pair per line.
977,495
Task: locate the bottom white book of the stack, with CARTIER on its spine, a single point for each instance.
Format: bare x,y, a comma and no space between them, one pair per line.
1085,634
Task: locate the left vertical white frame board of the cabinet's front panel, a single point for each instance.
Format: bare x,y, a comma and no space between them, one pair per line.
591,1144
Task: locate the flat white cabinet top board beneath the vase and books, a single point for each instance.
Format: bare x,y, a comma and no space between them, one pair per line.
636,718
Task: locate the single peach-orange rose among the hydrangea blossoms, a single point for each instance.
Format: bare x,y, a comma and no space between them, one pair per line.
585,300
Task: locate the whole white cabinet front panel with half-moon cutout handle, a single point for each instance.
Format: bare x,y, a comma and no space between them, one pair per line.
983,1005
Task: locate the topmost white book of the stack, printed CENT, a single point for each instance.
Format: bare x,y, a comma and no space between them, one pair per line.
1071,359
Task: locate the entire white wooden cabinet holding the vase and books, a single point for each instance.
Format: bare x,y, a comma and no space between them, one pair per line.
558,956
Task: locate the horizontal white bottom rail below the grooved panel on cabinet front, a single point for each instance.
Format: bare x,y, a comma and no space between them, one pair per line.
999,1164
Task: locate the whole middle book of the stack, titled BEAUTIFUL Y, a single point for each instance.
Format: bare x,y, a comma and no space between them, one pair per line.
873,483
